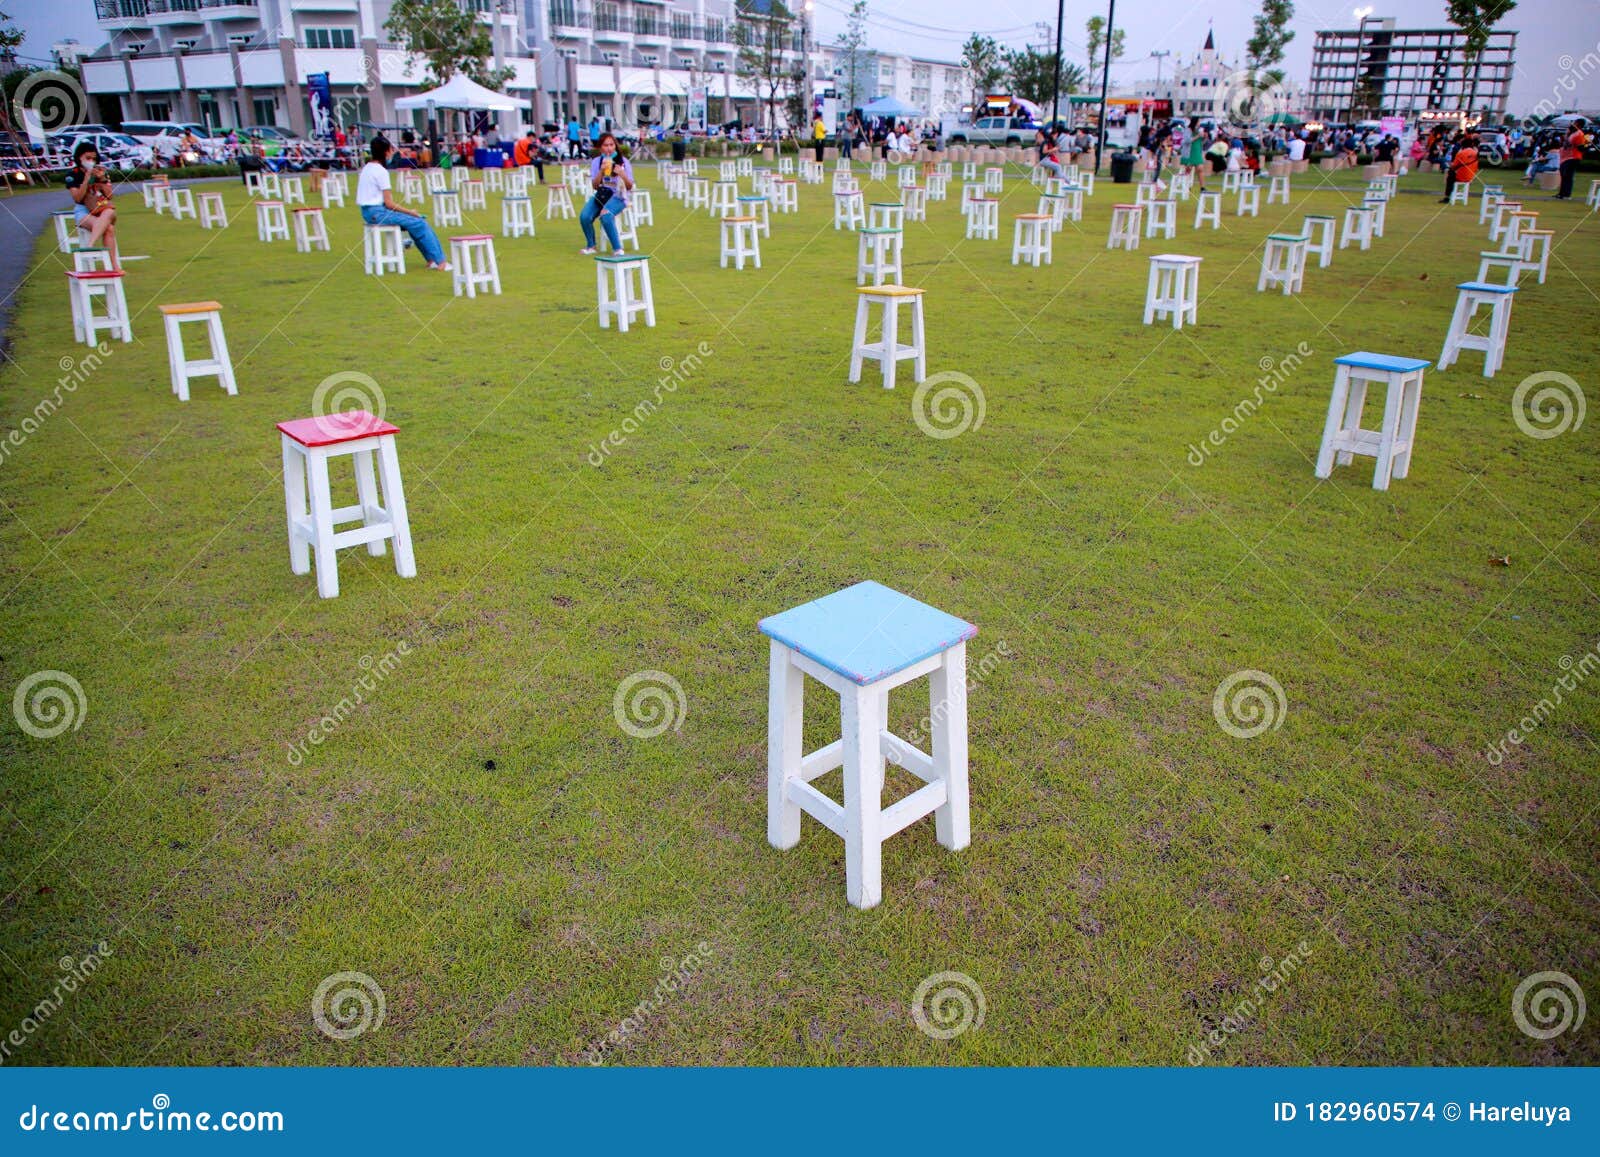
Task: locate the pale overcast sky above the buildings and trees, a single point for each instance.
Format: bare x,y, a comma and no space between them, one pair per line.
1554,36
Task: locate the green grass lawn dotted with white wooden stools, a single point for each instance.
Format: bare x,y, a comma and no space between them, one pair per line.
518,875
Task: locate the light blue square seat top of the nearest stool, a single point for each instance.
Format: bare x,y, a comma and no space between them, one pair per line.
868,633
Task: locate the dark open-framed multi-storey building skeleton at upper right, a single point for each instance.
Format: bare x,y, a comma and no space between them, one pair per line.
1378,70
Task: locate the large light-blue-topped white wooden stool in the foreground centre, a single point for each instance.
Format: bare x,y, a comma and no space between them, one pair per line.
863,643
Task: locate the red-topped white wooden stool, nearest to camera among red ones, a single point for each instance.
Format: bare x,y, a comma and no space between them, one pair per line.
308,446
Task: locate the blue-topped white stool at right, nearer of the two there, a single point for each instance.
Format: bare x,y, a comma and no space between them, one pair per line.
1343,434
